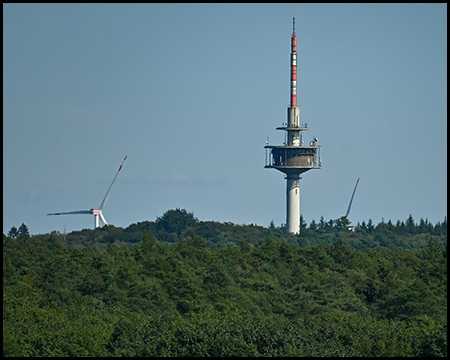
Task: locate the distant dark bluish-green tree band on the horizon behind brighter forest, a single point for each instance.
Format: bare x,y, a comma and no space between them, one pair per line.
175,224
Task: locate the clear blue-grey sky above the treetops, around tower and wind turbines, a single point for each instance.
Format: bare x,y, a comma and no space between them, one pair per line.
190,92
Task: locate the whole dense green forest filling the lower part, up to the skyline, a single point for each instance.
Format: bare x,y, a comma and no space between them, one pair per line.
183,287
